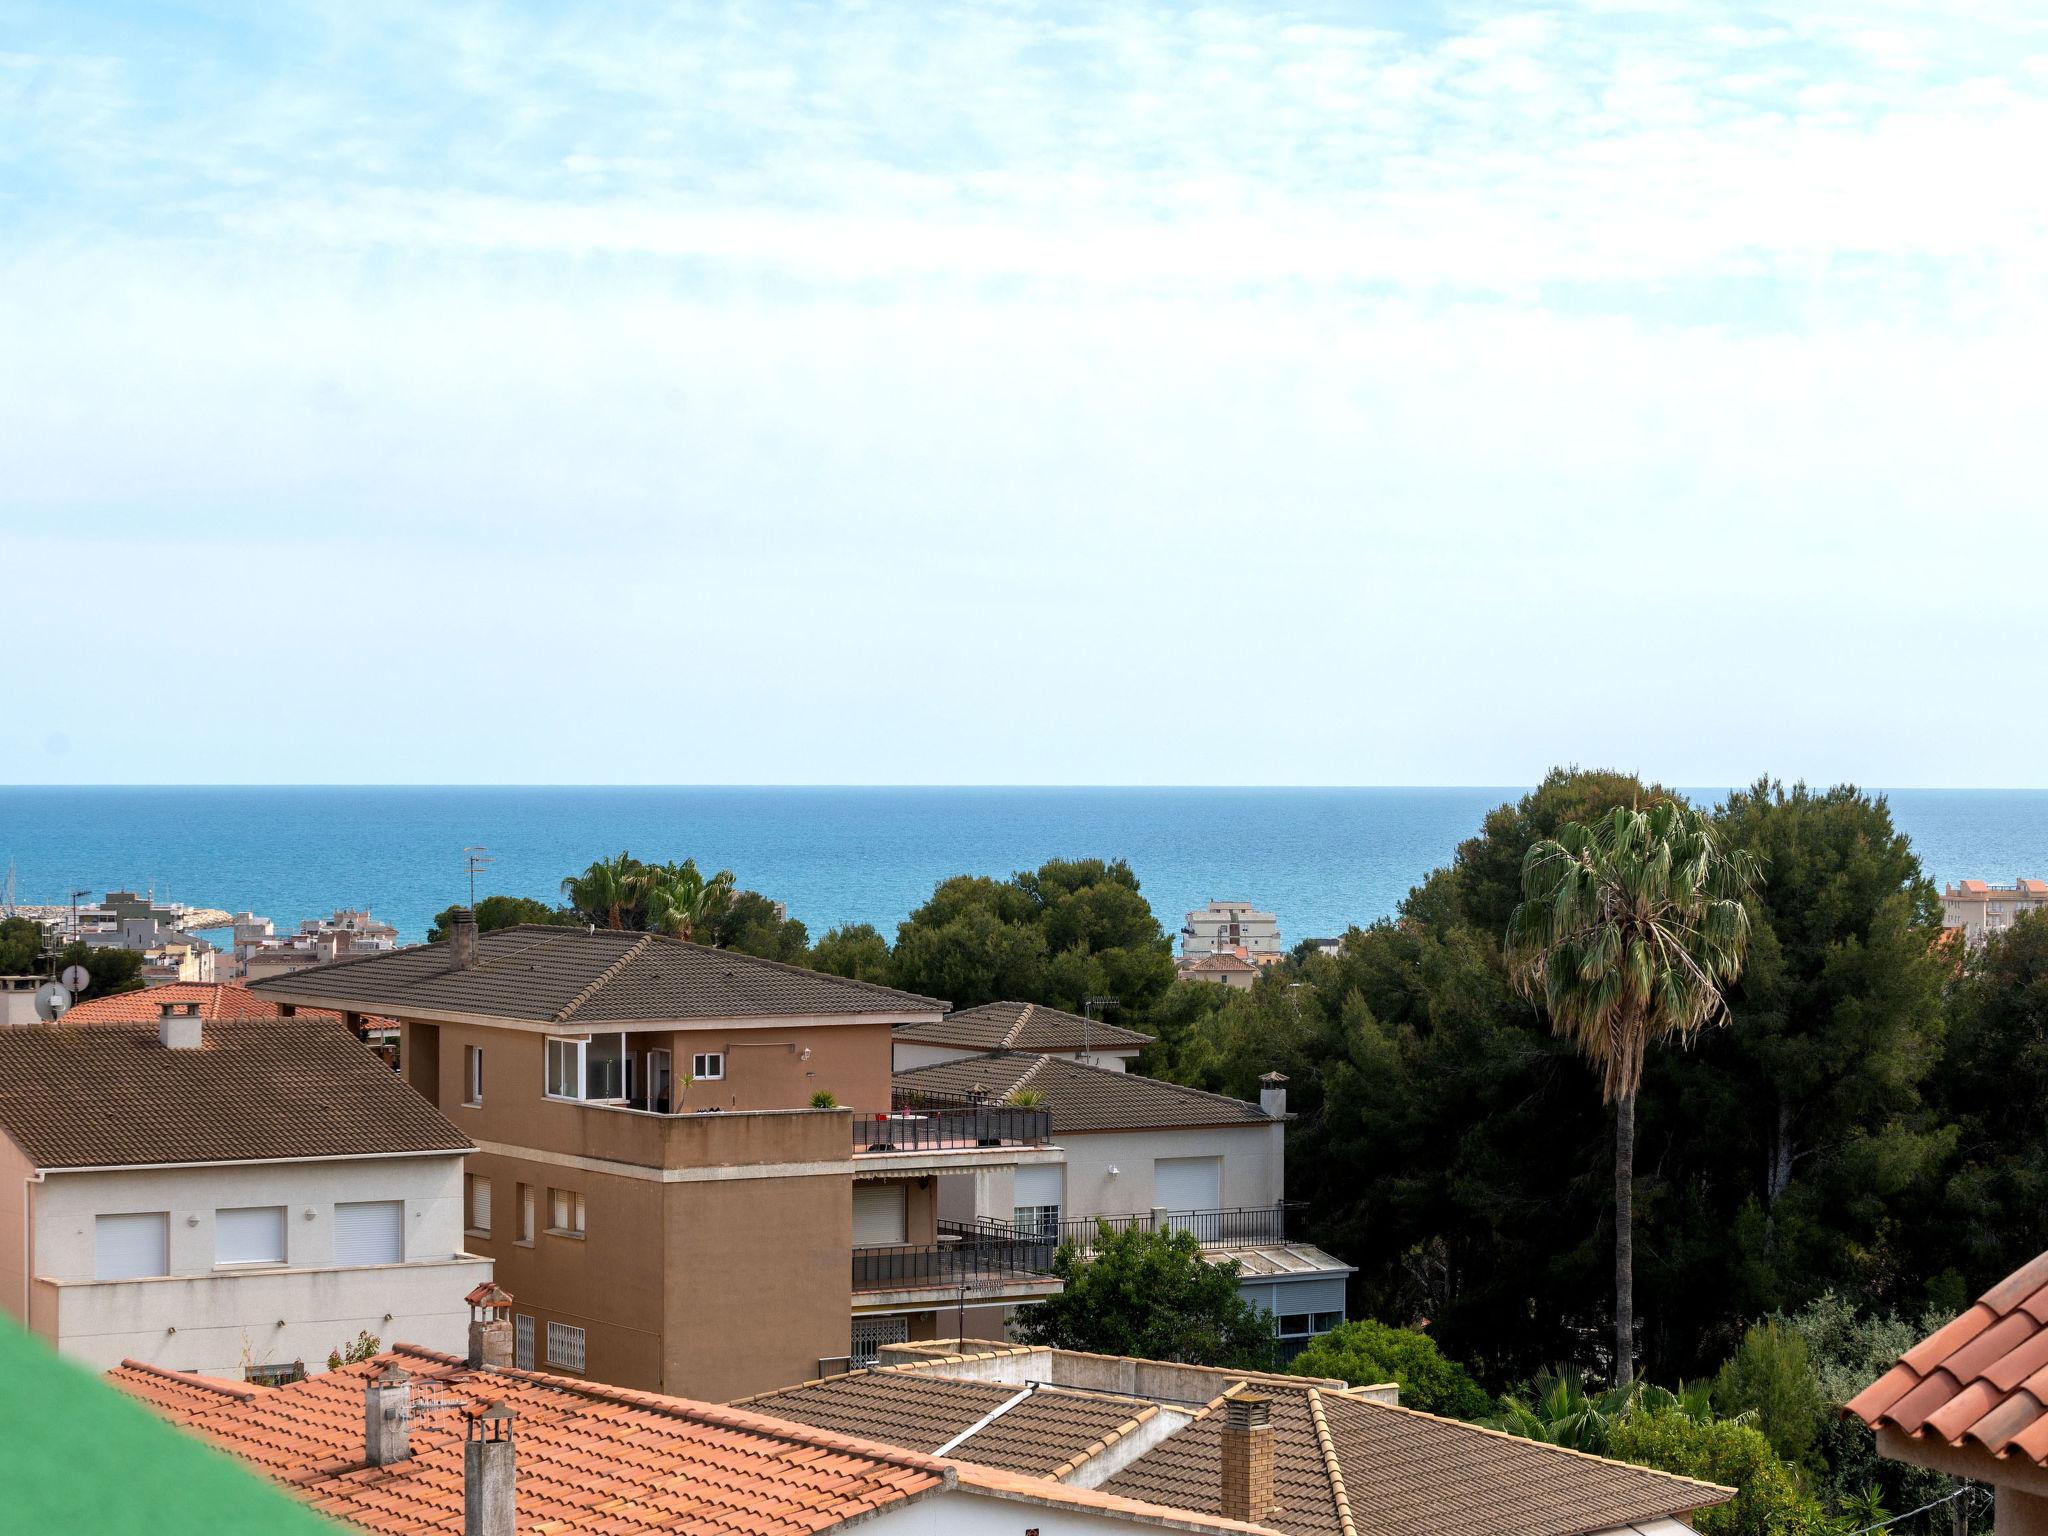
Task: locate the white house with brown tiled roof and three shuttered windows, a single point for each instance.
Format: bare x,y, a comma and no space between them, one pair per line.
226,1197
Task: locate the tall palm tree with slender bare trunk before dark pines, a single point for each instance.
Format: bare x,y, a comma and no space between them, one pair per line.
1629,931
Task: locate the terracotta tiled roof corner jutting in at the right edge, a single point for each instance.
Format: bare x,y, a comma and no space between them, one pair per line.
1983,1379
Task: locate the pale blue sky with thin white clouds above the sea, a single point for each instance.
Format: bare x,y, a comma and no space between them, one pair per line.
1084,394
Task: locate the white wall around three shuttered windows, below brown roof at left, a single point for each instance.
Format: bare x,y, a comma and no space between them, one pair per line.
220,1320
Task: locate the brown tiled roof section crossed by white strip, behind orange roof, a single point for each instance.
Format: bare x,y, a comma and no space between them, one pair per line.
1037,1437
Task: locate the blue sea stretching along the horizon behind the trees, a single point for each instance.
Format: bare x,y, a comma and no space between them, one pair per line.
1322,859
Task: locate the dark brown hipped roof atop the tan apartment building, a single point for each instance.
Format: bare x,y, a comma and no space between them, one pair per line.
566,976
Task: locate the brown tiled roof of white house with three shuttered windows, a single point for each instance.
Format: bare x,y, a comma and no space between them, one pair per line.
255,1091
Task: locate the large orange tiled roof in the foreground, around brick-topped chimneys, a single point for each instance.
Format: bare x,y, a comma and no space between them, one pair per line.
591,1459
